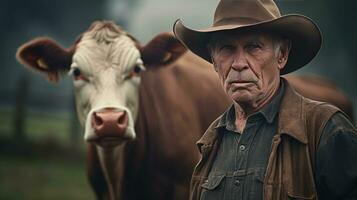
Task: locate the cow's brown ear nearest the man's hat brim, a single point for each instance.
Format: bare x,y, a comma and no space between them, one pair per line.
162,50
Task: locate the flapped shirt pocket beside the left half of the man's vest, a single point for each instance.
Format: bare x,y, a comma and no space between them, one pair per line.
213,188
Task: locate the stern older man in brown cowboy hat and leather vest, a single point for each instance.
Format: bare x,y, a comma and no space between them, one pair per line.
271,143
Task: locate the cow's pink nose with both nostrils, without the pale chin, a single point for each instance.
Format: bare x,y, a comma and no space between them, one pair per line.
110,123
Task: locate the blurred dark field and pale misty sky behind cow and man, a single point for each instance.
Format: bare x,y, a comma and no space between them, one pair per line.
42,151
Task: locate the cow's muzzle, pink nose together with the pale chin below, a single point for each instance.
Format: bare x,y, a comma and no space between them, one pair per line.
110,126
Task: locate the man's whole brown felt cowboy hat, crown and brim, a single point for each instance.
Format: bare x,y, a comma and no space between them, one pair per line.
261,16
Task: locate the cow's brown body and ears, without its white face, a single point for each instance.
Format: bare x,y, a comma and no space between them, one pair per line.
176,104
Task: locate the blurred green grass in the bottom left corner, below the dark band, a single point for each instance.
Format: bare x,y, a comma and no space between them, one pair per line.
42,179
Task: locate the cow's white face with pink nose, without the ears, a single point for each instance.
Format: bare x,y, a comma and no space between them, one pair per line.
105,68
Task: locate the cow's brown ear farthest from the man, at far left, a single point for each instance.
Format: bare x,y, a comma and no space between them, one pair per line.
46,56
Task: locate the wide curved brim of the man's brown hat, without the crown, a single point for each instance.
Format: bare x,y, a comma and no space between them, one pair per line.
304,34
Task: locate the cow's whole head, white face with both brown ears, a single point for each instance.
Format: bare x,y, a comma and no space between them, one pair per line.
105,63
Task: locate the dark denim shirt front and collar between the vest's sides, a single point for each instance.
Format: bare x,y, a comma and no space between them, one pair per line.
241,161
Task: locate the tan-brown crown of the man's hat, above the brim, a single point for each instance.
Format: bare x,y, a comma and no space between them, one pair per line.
245,11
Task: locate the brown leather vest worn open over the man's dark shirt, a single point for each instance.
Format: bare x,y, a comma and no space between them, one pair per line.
290,170
